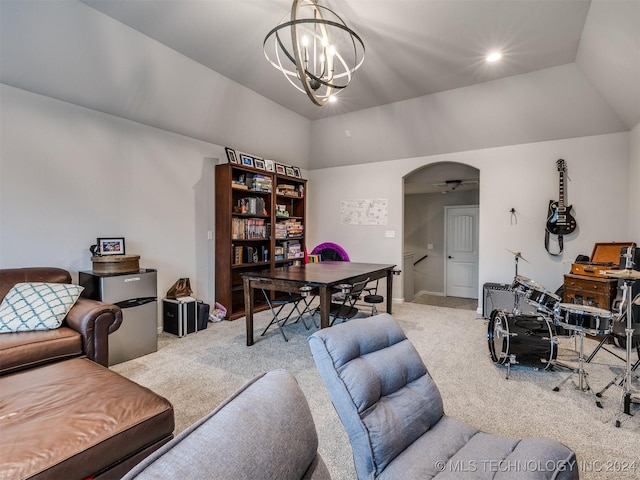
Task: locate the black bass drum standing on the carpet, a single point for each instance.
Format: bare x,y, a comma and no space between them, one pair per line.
527,339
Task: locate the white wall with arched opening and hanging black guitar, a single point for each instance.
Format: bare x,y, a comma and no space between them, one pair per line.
523,177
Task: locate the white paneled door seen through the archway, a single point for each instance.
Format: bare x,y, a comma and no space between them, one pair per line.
461,259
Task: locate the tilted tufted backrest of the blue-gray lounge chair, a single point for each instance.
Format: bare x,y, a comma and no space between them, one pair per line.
379,386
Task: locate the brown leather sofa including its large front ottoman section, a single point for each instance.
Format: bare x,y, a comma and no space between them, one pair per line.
63,414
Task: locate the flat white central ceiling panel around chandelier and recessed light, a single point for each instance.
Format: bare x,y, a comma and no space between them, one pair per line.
413,47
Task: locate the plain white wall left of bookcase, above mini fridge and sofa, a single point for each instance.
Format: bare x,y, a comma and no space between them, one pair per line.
70,175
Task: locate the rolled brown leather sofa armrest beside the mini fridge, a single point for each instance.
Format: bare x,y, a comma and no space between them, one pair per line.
94,320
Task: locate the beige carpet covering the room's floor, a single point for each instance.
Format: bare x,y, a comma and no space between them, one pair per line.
198,372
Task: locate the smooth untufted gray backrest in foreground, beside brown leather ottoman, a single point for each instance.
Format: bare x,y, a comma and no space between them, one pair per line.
264,430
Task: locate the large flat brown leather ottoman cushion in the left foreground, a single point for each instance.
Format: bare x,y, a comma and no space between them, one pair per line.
74,418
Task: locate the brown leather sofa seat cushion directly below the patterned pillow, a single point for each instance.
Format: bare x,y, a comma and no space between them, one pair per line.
27,349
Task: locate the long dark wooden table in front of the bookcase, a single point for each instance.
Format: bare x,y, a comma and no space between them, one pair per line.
324,276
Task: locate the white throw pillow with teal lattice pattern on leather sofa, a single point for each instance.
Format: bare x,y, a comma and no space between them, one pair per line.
37,306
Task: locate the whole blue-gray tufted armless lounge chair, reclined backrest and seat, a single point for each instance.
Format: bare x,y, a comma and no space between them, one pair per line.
394,417
